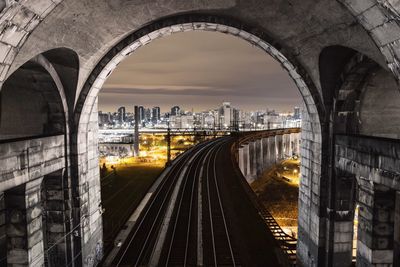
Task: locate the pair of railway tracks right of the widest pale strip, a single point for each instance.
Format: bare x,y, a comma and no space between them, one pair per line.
192,232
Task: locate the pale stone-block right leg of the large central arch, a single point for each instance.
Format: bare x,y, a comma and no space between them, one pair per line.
311,221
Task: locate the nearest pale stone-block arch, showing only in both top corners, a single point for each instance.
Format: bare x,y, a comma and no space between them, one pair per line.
377,18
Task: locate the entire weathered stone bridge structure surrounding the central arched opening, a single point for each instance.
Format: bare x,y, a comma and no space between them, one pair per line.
55,55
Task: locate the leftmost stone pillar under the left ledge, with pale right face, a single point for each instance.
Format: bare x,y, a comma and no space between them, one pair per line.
24,225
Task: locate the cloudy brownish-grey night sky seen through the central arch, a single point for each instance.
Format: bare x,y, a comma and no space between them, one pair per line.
199,70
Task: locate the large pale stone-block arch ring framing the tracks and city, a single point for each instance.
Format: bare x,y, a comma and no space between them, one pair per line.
85,162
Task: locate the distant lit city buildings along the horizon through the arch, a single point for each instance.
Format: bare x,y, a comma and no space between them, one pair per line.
225,116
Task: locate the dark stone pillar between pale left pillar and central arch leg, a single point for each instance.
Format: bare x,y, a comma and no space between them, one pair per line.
55,219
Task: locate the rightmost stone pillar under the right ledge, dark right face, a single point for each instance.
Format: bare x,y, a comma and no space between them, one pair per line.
376,226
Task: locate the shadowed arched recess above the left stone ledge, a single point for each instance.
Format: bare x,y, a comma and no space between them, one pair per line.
35,97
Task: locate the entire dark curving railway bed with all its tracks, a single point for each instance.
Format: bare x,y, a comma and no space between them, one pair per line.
200,215
